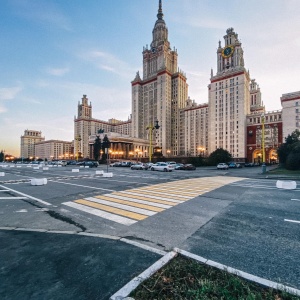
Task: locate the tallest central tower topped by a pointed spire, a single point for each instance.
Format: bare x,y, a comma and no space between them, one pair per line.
161,92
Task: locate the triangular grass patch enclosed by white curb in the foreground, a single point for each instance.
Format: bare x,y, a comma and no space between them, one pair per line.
186,279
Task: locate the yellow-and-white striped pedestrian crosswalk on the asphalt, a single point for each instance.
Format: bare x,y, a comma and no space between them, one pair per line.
134,205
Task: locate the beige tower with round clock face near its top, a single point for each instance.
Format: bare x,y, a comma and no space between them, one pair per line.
229,99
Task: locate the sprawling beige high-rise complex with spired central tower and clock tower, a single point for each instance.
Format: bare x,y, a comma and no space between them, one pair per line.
231,117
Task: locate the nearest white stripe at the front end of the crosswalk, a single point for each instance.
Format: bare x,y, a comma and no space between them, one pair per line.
102,214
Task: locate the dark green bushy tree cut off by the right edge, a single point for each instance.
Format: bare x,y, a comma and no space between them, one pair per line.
287,150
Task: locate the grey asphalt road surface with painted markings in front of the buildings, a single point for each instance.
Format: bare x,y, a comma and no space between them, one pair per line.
236,217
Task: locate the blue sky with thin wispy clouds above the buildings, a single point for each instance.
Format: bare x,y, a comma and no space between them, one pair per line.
54,51
